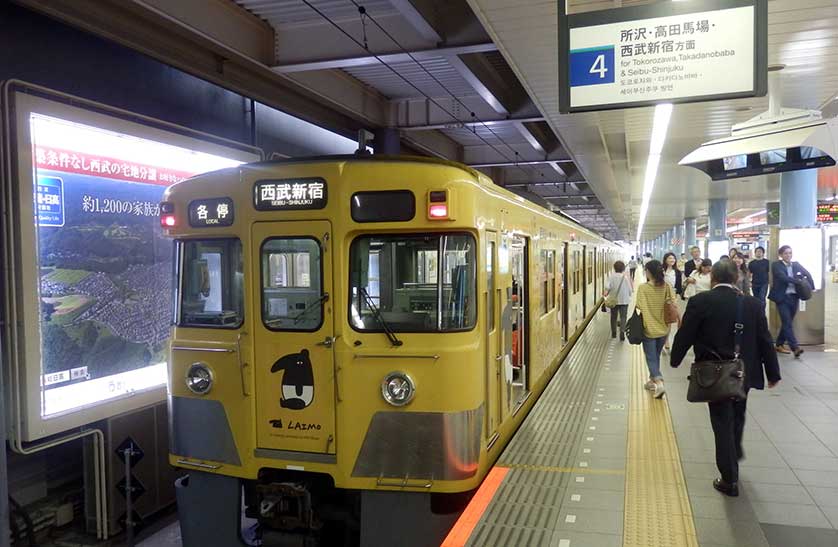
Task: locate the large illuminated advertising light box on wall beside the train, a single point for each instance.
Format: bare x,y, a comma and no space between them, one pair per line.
89,302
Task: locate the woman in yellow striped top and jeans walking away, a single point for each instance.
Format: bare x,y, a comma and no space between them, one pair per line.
652,296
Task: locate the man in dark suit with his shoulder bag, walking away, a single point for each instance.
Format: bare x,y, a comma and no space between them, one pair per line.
727,331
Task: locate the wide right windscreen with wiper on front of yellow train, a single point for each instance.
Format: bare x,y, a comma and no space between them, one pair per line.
427,282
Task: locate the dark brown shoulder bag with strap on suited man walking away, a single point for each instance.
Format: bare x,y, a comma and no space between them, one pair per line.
716,381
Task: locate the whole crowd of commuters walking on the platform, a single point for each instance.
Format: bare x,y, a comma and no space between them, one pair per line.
694,303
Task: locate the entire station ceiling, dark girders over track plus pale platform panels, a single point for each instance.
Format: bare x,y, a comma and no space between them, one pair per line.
474,81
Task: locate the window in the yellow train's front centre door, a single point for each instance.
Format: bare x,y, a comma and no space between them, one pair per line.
292,292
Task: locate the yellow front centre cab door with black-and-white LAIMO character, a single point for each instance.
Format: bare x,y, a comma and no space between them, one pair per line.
293,336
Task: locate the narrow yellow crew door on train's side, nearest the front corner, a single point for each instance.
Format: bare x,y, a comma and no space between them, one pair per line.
494,356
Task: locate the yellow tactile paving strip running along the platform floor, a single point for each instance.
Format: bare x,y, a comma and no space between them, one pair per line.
657,507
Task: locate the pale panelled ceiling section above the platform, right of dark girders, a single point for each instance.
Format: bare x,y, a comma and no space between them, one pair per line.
610,148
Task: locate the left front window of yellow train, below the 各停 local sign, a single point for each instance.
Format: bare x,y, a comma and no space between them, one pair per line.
211,283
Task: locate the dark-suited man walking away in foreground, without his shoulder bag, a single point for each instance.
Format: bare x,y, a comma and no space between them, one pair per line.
708,327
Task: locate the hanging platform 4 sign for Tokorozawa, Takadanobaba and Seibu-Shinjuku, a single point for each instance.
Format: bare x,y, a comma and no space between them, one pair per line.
666,52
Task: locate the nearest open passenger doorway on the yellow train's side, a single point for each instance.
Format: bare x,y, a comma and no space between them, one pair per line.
518,256
